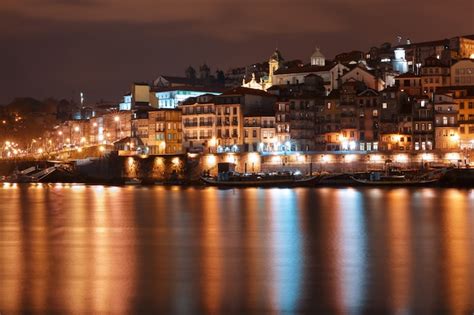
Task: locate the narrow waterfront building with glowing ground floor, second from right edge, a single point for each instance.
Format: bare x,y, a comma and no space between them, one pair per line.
446,122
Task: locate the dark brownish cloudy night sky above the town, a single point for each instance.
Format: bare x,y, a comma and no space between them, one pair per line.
60,47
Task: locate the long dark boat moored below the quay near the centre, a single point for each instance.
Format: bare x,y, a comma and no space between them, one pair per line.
232,179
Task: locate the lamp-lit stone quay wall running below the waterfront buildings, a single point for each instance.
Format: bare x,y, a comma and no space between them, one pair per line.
114,166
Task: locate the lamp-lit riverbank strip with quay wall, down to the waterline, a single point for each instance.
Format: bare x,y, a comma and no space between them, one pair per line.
186,169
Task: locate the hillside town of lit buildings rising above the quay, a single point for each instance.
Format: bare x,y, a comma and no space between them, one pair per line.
403,98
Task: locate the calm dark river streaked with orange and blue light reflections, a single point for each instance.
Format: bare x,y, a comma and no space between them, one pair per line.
131,250
